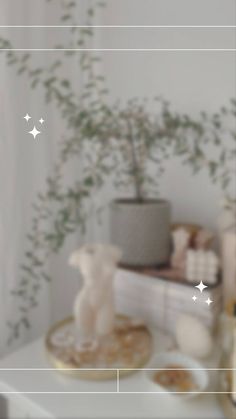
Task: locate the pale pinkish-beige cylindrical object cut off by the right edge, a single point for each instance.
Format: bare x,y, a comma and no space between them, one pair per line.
229,264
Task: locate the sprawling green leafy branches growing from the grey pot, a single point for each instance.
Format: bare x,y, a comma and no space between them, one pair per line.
126,144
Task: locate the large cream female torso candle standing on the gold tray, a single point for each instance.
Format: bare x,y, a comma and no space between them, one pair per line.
94,305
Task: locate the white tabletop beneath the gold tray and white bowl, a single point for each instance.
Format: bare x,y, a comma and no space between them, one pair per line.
53,395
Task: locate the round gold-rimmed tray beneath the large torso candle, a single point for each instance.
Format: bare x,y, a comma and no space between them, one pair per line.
129,346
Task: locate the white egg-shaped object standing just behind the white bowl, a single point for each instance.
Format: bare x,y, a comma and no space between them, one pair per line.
193,337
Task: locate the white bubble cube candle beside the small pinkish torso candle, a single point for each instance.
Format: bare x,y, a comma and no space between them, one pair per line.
202,265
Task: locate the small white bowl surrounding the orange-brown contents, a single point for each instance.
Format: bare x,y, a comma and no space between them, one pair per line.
163,359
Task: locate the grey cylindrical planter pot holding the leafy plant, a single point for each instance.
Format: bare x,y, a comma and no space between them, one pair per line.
141,230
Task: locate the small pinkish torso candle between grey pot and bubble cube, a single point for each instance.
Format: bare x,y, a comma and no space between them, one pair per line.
180,243
